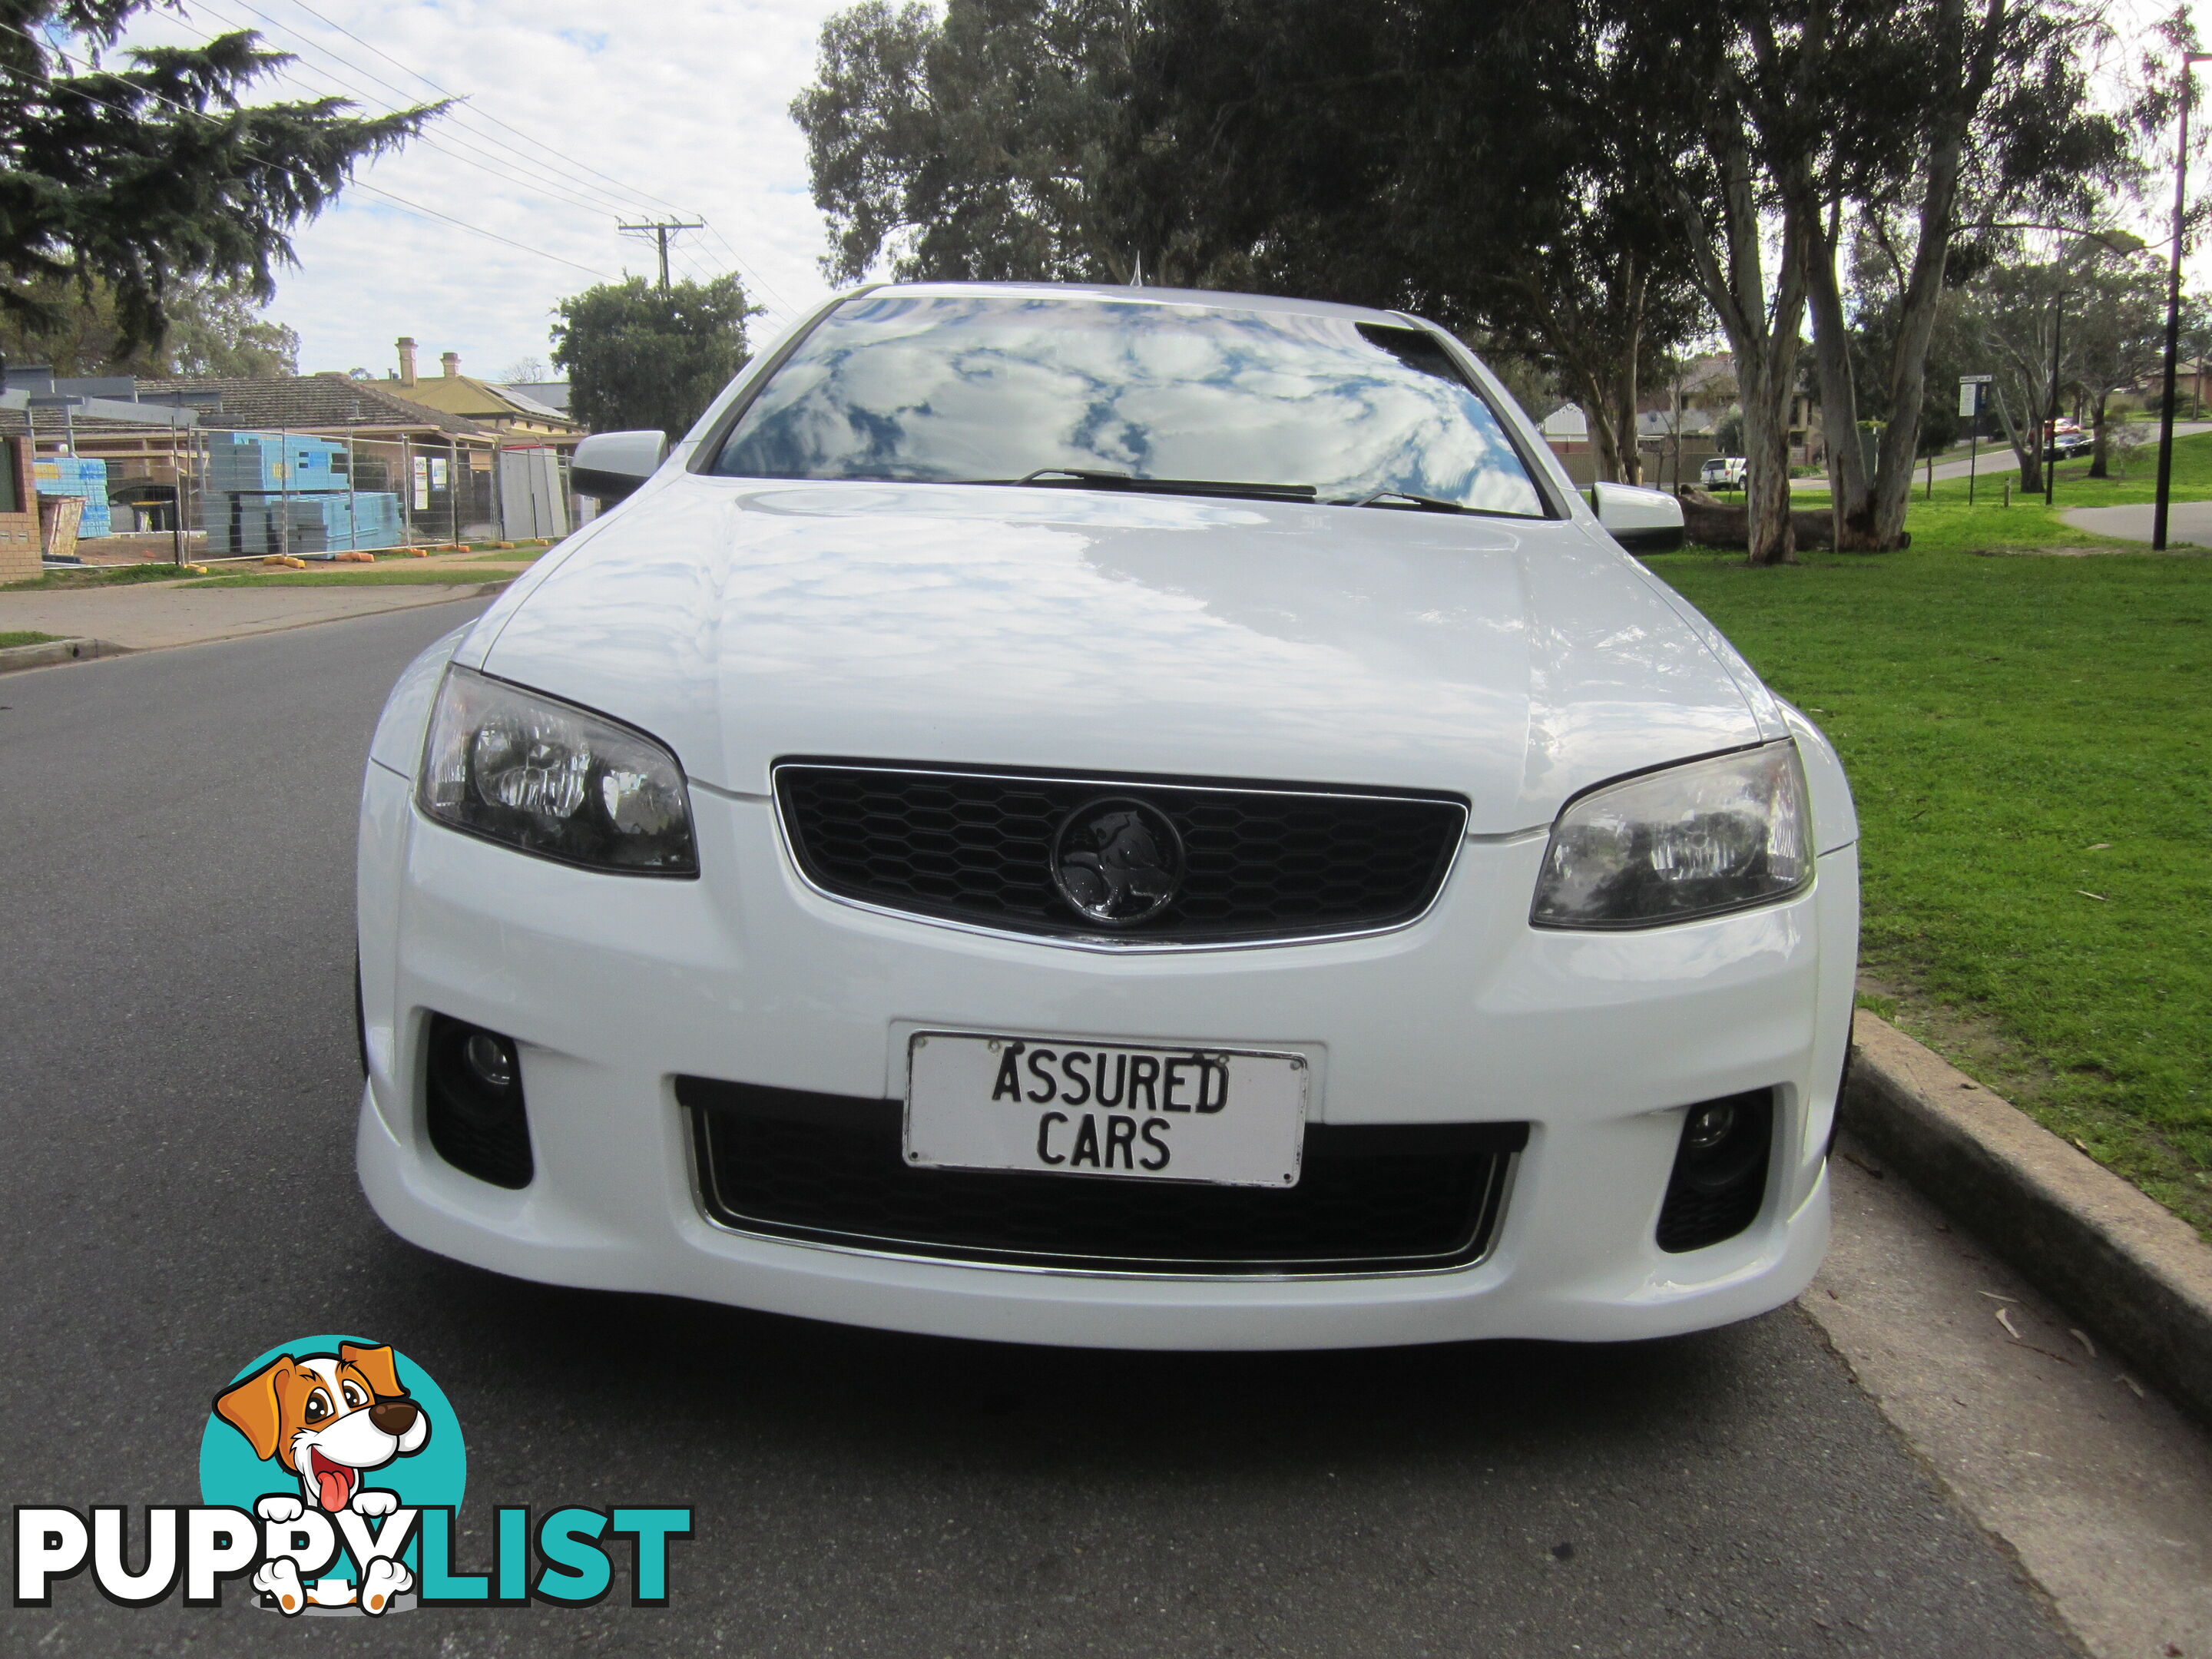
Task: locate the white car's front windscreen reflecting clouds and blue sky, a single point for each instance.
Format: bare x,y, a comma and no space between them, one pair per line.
1005,388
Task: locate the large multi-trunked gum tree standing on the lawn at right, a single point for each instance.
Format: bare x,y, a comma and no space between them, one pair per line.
1771,123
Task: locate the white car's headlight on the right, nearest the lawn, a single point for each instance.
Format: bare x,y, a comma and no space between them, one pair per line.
1698,839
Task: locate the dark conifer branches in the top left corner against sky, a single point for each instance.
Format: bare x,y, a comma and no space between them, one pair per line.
152,176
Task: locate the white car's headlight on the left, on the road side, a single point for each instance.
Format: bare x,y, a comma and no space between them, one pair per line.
554,780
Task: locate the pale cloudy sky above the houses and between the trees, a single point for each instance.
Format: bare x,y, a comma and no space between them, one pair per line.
574,118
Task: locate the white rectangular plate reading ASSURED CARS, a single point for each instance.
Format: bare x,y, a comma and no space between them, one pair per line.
1109,1109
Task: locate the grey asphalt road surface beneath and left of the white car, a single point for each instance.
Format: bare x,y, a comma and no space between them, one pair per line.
178,1196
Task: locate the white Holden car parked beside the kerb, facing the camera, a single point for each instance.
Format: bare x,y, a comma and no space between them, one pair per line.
1109,817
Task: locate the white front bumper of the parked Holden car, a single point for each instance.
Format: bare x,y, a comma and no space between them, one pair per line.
614,988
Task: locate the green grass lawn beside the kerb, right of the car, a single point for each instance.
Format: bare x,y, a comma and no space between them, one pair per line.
2032,751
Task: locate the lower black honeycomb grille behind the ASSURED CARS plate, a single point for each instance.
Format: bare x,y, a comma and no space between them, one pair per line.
828,1169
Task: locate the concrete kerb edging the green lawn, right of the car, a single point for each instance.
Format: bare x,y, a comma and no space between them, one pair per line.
2129,1269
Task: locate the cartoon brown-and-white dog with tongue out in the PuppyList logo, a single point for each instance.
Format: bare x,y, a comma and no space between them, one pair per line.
328,1419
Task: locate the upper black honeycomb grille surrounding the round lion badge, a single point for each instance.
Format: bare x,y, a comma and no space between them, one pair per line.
977,848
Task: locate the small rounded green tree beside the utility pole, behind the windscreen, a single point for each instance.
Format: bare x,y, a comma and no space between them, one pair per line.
651,357
